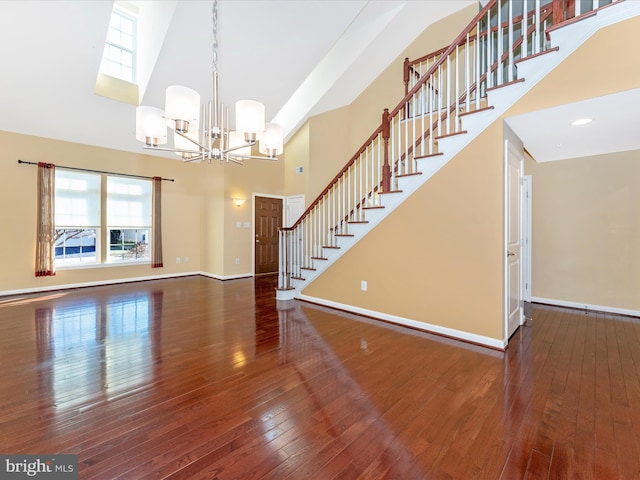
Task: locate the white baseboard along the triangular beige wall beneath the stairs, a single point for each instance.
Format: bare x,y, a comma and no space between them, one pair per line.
426,327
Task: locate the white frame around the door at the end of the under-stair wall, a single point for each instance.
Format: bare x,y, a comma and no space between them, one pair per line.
511,147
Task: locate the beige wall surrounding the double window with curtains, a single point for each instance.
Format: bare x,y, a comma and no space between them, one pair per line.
181,210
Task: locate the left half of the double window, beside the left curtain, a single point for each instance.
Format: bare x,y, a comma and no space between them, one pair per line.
77,217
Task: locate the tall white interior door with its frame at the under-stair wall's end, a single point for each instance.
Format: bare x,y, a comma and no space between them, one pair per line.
513,266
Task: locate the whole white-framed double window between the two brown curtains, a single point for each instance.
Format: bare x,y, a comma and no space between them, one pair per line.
80,229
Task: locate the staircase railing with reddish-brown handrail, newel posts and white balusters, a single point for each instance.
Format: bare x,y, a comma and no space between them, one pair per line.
441,88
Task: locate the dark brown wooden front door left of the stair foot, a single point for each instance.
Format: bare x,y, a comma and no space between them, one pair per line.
268,220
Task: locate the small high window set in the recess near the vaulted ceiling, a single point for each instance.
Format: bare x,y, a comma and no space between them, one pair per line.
118,59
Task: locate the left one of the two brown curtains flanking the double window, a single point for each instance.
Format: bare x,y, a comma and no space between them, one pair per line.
46,227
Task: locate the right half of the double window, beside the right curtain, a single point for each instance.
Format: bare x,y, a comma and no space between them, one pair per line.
128,219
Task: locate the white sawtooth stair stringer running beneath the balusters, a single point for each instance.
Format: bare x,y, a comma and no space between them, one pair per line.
532,70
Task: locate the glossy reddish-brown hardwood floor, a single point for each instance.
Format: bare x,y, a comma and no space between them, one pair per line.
193,378
